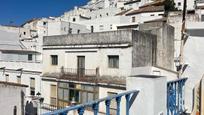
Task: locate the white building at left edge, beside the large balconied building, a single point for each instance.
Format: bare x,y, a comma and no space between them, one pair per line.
18,64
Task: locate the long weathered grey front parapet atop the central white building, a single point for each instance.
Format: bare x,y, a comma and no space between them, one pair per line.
113,37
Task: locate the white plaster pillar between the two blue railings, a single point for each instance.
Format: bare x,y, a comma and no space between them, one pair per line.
151,99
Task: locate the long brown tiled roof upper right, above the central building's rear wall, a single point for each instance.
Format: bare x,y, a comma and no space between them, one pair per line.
147,9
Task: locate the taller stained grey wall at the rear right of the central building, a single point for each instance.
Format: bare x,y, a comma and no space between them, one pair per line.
165,43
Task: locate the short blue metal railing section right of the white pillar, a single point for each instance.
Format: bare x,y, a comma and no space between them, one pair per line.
175,96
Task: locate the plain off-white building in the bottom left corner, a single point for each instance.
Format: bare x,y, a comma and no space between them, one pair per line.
12,98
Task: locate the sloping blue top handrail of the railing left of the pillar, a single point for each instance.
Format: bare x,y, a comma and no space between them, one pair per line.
89,104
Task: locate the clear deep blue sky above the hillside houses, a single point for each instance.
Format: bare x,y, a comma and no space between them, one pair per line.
19,11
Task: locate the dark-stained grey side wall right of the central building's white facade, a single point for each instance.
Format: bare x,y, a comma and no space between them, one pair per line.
143,49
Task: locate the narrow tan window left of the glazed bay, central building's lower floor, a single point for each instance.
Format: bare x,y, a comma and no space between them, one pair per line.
53,95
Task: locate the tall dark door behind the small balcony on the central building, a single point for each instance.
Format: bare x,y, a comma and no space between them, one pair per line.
81,66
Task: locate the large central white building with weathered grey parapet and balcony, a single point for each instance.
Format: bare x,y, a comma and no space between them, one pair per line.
95,65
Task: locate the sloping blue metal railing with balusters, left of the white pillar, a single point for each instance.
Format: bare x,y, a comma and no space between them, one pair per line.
129,96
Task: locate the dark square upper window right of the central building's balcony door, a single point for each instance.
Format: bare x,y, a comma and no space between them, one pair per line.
113,61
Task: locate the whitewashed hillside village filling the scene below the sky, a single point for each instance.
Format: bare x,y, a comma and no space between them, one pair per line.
96,50
